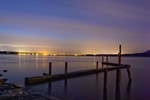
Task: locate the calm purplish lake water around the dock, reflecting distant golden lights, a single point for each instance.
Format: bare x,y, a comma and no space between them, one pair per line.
81,88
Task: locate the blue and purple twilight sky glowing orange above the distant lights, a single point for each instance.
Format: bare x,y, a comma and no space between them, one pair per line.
75,26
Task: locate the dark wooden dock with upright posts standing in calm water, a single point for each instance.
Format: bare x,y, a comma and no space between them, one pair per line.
112,66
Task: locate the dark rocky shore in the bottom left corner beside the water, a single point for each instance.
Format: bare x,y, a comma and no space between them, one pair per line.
9,91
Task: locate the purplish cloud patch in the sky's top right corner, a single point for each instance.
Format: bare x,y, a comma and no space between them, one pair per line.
121,10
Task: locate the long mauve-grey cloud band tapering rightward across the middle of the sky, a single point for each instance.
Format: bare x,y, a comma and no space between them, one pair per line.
62,26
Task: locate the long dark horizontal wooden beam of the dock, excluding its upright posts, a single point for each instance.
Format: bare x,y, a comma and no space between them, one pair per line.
46,78
